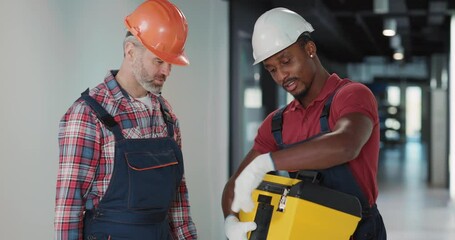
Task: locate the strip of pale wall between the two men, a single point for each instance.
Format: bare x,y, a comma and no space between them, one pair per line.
199,94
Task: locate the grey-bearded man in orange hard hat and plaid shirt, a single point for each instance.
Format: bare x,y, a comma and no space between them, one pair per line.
121,166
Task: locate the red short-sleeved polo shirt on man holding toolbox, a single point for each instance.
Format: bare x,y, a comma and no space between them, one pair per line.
302,123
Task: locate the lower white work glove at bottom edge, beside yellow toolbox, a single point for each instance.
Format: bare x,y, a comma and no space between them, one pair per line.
236,230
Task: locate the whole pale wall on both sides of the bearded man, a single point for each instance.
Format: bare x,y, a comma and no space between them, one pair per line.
54,49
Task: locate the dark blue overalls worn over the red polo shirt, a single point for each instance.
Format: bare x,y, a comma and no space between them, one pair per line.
371,226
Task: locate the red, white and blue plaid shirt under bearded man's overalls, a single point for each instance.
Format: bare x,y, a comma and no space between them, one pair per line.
87,158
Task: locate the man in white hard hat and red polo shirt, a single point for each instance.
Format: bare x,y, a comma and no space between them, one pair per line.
344,148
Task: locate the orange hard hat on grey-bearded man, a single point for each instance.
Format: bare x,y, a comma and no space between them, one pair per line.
162,28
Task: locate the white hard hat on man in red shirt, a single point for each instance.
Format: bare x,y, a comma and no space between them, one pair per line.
276,30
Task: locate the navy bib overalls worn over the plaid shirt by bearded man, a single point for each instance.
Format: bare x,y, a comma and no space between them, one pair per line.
144,181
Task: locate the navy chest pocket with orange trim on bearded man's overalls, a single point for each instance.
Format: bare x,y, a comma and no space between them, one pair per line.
152,179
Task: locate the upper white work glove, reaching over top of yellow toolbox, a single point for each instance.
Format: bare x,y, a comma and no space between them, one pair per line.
248,180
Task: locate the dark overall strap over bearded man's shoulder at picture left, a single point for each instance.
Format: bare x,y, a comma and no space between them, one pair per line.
103,115
